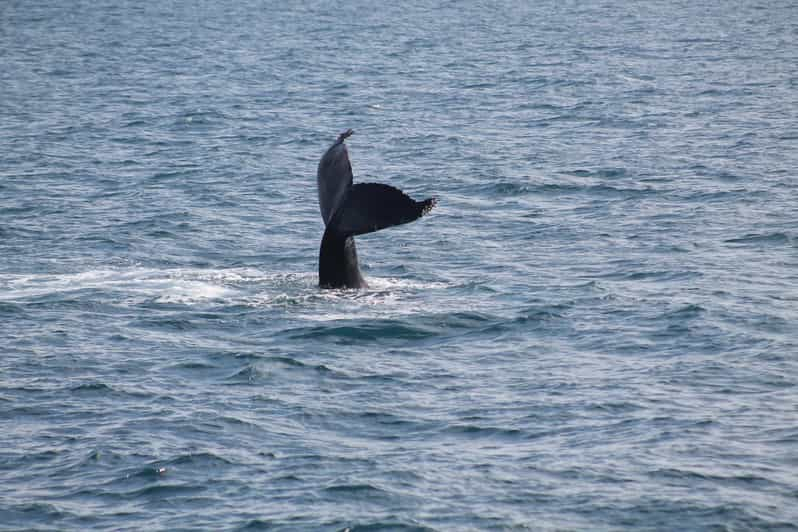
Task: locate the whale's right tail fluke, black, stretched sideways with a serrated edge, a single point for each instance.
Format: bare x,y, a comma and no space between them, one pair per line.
369,207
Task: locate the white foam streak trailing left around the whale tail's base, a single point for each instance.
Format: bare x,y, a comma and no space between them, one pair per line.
296,293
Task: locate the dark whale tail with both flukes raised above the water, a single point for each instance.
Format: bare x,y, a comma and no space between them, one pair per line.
349,210
